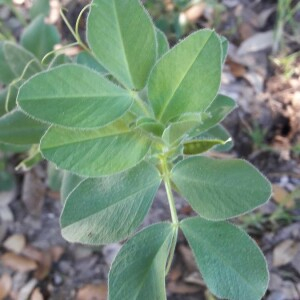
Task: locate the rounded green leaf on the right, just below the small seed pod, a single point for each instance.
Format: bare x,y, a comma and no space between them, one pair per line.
218,189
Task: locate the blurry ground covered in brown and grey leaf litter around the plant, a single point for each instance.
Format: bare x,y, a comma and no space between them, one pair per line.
262,74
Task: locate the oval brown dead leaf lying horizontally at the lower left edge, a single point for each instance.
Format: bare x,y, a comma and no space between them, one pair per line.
18,263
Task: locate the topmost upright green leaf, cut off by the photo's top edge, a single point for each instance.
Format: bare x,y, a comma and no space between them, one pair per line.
116,40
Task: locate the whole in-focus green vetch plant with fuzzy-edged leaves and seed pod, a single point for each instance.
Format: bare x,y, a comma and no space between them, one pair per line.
152,119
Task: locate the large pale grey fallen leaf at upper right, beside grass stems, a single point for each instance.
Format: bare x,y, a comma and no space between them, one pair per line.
259,41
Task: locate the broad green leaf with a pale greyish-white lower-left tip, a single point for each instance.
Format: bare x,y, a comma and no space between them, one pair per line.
113,208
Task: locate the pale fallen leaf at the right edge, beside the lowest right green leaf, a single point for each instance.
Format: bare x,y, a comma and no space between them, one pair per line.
285,252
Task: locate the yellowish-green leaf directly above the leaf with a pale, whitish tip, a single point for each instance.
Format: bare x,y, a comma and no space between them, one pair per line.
95,153
